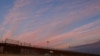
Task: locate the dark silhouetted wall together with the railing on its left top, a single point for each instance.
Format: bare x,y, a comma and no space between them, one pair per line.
17,47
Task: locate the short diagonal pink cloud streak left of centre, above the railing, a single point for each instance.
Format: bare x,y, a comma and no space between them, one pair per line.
36,33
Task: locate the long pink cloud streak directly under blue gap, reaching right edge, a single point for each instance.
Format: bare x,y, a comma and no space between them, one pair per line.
75,33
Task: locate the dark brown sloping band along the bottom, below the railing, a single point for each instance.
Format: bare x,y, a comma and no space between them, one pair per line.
16,49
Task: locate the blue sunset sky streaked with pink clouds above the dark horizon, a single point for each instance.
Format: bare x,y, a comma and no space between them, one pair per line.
61,22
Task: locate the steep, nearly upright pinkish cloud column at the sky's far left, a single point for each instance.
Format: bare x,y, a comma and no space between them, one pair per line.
14,18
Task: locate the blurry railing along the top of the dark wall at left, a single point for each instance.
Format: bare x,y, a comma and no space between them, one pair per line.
17,42
